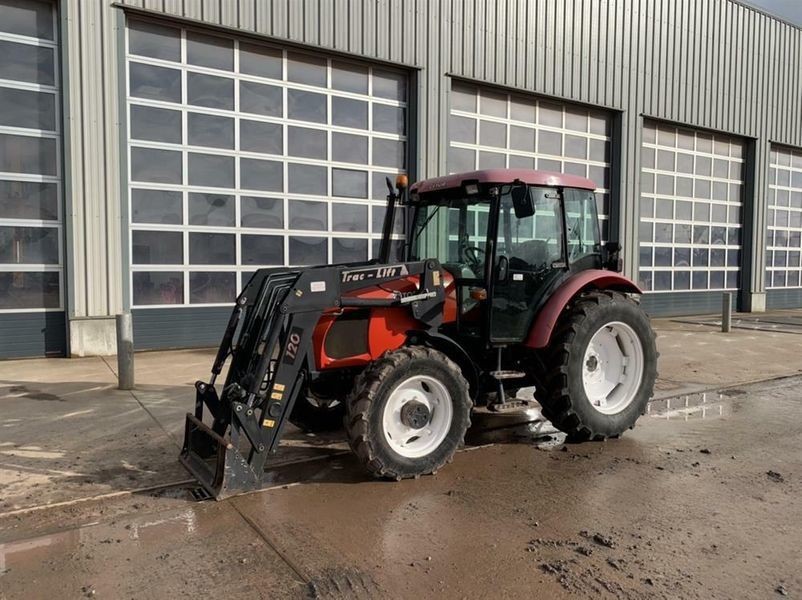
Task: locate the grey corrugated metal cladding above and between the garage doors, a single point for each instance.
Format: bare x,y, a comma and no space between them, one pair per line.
706,63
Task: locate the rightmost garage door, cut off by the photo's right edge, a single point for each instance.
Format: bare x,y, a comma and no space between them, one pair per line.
784,228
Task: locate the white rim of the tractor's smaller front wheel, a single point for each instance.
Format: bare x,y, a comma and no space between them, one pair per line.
410,442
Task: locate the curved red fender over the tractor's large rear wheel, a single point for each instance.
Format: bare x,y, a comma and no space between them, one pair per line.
546,320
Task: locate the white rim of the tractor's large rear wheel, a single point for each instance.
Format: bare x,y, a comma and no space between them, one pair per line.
612,368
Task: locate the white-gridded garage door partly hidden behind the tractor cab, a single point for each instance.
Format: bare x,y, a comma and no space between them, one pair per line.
489,128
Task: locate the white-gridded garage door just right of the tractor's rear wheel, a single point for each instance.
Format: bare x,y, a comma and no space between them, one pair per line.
690,218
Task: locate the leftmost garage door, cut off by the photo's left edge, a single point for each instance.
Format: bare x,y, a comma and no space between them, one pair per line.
31,211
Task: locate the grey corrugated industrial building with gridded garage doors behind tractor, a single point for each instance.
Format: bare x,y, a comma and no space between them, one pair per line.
153,153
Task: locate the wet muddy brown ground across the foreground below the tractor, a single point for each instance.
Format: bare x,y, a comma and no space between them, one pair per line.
701,500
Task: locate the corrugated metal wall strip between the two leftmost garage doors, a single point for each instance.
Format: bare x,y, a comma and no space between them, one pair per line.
91,158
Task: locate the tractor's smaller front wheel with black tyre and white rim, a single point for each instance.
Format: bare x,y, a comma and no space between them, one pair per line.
408,413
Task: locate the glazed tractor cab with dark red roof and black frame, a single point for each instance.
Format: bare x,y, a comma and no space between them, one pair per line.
508,237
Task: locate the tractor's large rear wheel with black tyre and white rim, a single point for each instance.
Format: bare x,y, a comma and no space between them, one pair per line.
602,364
